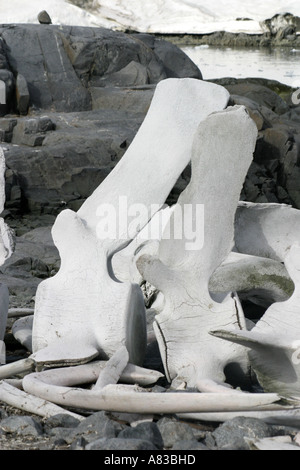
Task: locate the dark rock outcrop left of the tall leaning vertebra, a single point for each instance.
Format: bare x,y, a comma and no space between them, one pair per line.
76,99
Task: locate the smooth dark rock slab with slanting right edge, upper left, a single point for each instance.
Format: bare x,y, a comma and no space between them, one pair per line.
61,90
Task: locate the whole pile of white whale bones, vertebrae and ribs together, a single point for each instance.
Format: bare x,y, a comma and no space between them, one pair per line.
208,252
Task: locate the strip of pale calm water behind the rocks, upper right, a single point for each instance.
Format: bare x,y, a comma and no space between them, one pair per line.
282,63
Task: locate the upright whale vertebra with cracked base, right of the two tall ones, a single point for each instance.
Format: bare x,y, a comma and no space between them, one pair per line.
222,153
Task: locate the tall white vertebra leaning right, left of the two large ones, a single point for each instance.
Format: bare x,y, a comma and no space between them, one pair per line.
84,310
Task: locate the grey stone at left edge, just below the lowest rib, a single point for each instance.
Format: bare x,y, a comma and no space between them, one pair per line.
21,425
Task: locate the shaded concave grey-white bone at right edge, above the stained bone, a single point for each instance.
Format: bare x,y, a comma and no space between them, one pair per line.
266,230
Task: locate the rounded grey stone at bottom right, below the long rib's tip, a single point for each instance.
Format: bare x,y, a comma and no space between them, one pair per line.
233,434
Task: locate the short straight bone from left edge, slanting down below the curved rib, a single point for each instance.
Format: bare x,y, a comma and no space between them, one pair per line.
30,403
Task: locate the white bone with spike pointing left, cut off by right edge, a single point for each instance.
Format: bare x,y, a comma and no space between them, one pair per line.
274,342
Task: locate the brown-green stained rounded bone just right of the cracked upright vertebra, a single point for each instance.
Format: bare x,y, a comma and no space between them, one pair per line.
263,281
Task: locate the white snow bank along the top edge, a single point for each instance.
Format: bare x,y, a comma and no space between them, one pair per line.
161,16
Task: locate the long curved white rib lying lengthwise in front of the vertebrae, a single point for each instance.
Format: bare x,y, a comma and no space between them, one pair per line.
50,386
